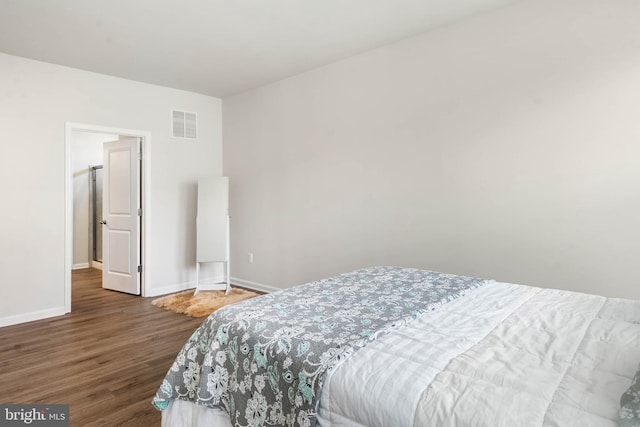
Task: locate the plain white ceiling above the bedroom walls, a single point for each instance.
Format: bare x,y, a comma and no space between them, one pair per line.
215,47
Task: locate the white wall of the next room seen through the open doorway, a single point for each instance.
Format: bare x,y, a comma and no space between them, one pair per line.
86,149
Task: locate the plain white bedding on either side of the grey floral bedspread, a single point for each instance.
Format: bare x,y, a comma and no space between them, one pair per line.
503,355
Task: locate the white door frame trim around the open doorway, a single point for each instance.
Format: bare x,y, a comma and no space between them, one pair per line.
145,201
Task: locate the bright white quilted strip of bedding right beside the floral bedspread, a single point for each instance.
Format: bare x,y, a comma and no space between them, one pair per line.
361,390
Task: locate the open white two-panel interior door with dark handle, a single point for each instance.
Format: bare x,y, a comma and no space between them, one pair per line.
121,216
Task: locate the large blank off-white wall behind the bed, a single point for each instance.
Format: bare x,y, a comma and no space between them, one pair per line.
505,147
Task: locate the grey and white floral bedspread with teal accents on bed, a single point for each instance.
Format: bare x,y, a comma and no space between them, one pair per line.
264,360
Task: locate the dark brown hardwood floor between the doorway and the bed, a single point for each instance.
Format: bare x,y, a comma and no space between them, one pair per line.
106,359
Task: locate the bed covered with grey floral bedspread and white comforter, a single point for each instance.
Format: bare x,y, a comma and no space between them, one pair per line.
391,346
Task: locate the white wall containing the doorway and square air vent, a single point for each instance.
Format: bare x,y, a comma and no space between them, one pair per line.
36,99
